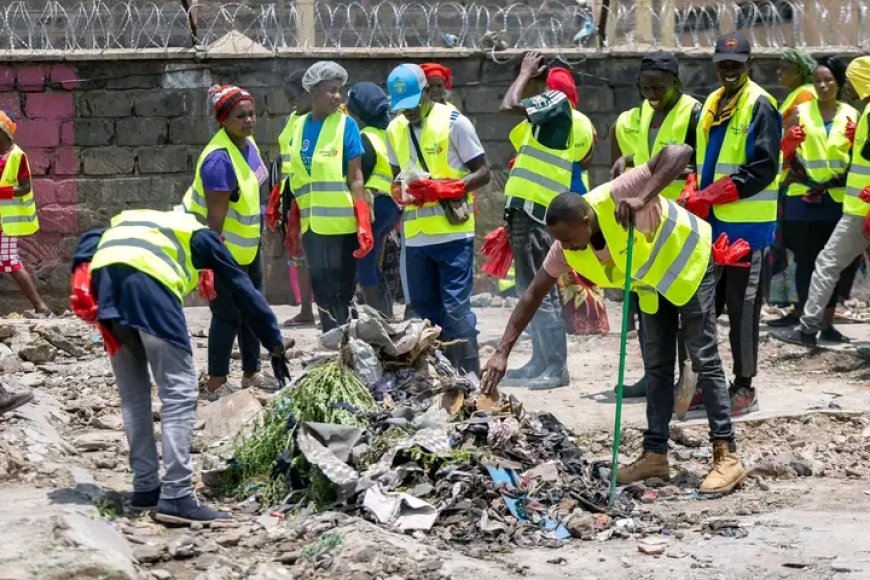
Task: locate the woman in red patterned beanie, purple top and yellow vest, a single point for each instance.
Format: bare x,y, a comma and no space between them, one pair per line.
226,195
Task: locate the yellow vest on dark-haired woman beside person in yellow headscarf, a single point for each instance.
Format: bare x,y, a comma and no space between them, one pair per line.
824,155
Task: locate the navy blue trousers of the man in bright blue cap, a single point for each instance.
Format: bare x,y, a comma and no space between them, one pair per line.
440,280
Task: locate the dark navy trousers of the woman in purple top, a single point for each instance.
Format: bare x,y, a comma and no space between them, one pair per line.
227,323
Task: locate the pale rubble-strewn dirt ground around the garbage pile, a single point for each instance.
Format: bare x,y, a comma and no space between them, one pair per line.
804,512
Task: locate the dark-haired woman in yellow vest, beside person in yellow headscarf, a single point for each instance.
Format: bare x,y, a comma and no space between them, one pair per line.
817,149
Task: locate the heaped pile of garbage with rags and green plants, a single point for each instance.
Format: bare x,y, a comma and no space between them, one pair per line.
389,430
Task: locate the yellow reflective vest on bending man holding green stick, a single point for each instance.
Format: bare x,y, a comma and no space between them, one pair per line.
673,263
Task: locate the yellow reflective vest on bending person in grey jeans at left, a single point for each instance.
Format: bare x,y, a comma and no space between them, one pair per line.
155,243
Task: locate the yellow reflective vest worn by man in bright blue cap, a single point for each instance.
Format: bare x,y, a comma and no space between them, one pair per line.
427,223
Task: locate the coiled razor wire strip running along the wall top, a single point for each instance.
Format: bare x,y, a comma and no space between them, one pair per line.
395,24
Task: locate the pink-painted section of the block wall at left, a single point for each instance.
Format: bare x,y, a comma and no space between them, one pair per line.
41,99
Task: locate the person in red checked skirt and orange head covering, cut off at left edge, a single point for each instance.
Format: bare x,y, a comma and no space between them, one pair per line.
17,211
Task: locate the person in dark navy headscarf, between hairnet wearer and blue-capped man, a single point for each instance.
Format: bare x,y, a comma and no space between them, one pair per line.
369,105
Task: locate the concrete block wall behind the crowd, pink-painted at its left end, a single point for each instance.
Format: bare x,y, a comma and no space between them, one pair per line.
107,135
